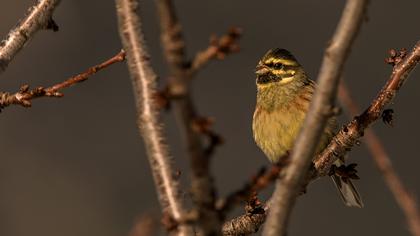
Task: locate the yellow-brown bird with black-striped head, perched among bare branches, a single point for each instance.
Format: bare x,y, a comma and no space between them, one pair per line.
284,93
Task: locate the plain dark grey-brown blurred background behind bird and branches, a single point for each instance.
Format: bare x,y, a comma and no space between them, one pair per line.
76,165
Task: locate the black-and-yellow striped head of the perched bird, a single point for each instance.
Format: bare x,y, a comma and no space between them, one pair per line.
278,67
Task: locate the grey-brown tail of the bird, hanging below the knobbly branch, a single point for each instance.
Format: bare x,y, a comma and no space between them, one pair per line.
347,191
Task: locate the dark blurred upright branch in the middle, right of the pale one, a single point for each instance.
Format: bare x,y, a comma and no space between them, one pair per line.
203,190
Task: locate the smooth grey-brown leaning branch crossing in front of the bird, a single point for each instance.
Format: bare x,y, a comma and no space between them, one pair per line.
319,112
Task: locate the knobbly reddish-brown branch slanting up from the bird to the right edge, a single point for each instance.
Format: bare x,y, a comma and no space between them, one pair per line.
349,134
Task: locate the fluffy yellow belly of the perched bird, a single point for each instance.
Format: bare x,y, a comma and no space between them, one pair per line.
275,131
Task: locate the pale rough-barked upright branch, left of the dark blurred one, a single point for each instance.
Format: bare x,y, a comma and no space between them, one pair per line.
144,85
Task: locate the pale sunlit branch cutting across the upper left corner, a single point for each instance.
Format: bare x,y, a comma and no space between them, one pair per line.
39,17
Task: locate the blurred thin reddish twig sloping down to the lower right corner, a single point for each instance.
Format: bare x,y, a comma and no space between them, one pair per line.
404,198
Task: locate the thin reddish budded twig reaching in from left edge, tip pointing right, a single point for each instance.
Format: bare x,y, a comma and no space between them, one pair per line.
24,96
